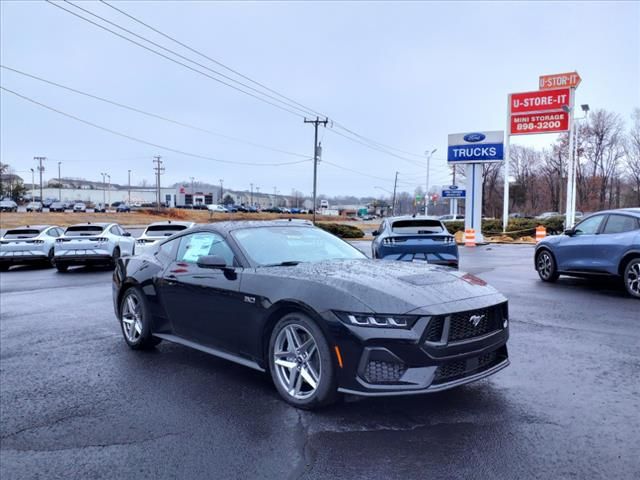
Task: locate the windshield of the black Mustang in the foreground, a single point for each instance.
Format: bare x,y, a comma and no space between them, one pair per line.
292,244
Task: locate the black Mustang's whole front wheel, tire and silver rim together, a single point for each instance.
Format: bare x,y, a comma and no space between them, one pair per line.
301,363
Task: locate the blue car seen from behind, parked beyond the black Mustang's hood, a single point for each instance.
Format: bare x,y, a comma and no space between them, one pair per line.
415,238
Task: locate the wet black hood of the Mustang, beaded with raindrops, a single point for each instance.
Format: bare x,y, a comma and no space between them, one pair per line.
396,287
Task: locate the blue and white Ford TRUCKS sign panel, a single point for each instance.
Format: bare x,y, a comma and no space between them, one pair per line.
476,147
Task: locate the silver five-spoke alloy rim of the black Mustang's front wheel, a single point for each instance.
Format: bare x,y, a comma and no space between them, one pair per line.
297,361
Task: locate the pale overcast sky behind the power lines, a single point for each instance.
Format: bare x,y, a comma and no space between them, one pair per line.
402,74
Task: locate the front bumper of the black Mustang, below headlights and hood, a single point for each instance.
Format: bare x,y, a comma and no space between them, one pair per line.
387,361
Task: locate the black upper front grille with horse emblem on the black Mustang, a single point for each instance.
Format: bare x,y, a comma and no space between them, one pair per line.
466,325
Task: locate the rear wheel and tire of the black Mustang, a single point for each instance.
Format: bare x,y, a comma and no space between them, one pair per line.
135,320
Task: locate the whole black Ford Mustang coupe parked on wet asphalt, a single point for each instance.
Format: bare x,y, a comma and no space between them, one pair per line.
322,319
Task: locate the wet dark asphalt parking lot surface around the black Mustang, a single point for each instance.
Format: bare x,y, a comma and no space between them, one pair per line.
77,403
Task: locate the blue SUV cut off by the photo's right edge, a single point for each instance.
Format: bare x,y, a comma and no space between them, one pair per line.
604,243
